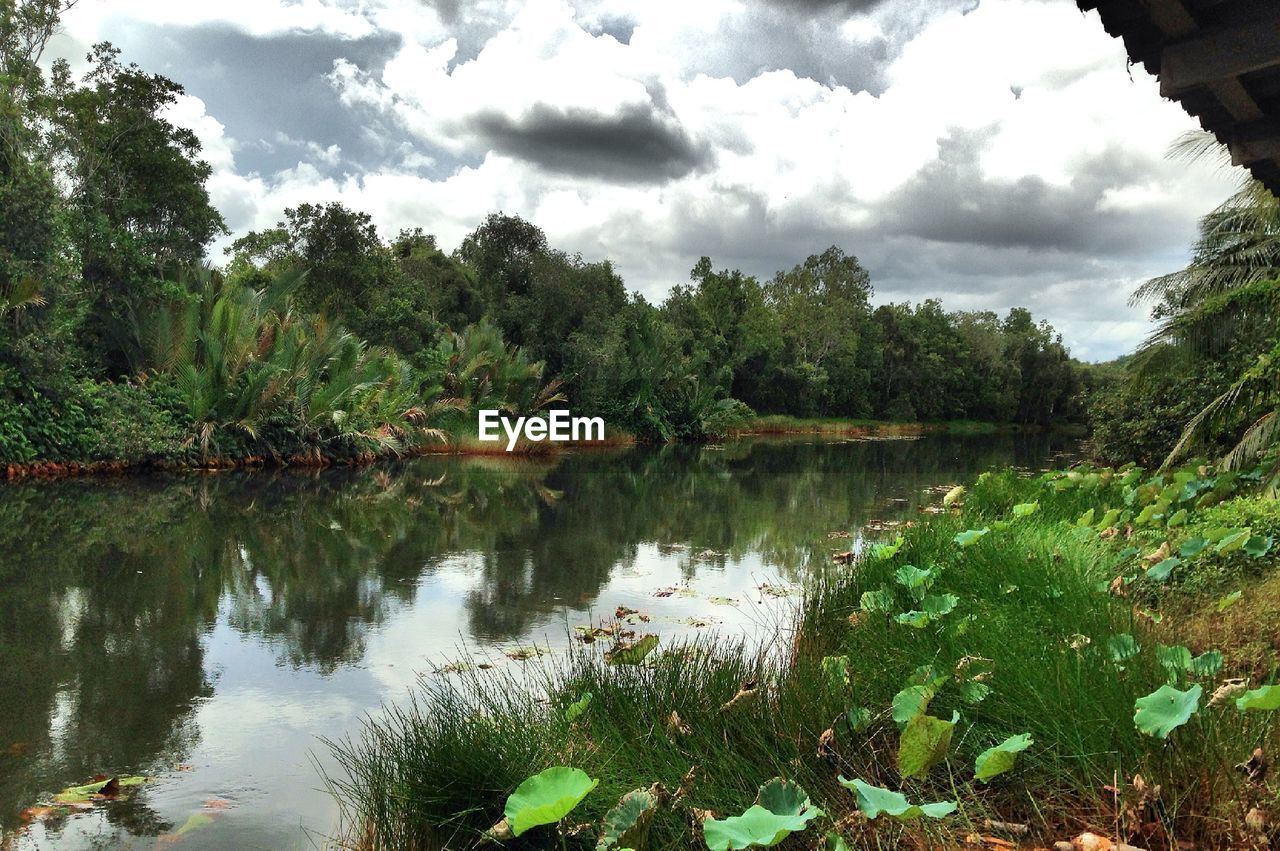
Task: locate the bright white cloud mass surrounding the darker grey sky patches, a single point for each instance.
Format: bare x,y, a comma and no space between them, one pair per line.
758,172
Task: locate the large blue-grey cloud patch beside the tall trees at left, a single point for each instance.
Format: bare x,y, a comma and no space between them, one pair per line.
271,91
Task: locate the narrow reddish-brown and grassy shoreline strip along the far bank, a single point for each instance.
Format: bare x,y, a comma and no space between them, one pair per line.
468,446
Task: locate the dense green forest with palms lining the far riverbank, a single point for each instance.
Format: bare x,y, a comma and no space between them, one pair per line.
323,337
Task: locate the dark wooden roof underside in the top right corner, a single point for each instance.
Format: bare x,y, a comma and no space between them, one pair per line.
1220,60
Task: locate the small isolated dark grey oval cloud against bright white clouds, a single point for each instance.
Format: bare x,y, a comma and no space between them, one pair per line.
641,144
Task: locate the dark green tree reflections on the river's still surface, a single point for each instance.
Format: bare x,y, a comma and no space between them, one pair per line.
111,589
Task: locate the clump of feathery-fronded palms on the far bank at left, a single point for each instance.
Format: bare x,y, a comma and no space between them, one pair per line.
243,358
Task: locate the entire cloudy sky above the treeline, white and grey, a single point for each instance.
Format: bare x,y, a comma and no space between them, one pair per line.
991,154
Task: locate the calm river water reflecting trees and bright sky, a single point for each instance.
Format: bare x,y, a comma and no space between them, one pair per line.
208,630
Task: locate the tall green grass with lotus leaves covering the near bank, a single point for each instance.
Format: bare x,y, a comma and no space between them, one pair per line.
904,672
